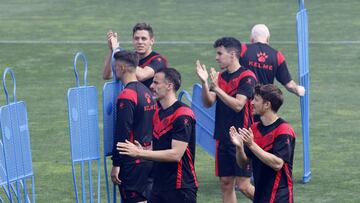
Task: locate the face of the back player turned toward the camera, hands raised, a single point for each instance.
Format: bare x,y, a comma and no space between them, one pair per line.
142,42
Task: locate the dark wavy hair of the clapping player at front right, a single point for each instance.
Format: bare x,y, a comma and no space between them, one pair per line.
272,94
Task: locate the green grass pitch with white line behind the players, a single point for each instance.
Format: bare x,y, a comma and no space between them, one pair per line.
39,38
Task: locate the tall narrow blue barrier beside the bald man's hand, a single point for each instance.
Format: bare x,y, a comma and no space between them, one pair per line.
304,80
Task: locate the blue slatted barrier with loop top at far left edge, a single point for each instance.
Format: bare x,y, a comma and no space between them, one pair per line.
16,163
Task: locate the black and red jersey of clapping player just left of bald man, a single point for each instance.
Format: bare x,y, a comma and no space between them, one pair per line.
241,82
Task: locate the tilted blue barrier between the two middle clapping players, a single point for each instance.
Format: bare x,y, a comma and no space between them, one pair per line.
205,120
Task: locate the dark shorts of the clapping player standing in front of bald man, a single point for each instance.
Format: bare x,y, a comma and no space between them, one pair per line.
225,162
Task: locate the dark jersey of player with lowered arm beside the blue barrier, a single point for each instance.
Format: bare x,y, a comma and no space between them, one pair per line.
135,107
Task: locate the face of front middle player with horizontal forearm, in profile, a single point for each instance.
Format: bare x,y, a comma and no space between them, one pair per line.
160,86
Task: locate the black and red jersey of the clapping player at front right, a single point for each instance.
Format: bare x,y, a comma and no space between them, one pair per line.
278,139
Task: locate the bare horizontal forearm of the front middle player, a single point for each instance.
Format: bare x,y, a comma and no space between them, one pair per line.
169,155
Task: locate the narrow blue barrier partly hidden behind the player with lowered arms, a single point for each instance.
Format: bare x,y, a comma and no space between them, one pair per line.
111,91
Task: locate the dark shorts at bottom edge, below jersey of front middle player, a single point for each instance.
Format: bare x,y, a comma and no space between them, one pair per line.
184,195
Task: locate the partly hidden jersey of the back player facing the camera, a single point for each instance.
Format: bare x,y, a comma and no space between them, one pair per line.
154,61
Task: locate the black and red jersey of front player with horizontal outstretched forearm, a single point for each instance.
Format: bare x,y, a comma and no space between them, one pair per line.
177,122
